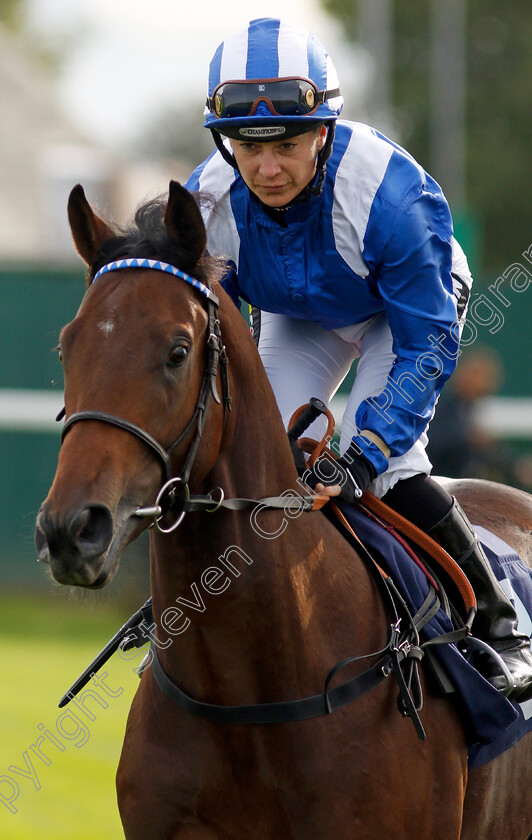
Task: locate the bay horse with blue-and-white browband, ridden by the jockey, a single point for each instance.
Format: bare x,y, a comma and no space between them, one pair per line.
249,608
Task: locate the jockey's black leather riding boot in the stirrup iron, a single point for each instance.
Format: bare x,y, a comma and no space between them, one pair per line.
496,619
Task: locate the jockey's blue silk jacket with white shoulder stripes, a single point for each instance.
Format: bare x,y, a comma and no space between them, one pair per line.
378,239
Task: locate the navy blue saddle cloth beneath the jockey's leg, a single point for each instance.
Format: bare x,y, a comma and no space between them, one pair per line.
492,723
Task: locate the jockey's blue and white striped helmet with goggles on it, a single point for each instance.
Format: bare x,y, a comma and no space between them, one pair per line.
270,80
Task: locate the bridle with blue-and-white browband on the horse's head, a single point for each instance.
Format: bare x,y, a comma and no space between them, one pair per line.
216,358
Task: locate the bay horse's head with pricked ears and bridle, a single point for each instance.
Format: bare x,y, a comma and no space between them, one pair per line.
138,358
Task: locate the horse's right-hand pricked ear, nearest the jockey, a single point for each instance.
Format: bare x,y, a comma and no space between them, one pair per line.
183,222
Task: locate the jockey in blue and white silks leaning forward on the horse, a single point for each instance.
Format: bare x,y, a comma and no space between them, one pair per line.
343,246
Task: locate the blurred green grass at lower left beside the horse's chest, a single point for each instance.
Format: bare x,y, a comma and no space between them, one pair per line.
47,640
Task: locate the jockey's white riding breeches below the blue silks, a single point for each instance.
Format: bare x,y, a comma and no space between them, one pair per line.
303,360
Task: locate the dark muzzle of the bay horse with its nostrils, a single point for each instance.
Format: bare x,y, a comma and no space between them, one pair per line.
75,545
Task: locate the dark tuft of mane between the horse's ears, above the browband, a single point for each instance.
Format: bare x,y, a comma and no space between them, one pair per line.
147,237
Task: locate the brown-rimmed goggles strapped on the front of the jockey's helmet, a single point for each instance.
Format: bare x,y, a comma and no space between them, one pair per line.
291,96
